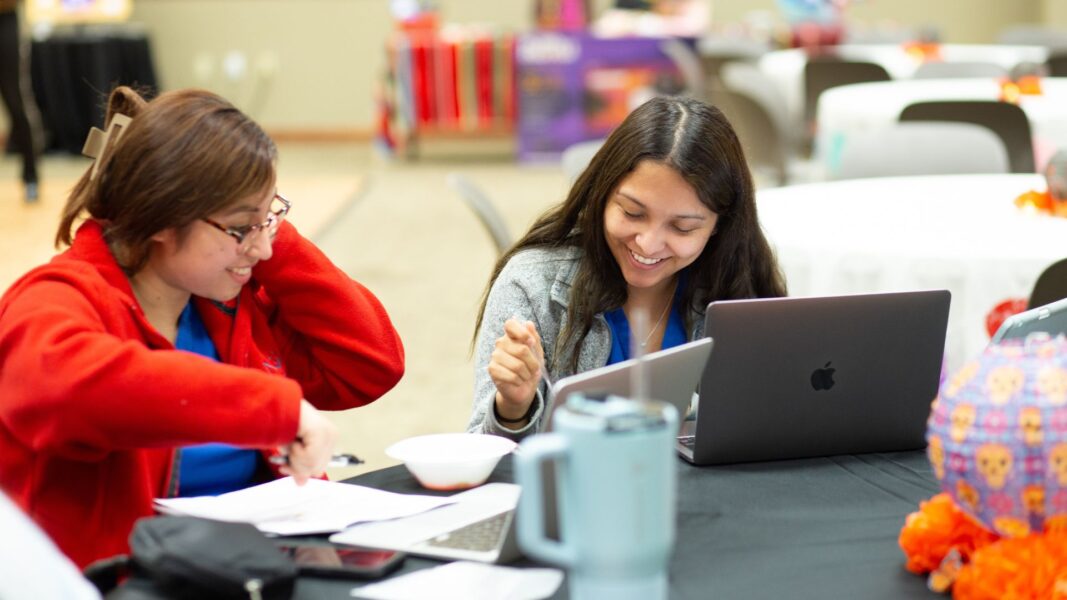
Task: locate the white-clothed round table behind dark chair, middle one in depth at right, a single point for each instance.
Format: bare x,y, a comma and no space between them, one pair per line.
867,107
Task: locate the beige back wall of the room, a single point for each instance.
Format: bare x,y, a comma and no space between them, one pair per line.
312,66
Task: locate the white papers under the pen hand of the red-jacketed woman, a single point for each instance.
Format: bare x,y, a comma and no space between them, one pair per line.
281,508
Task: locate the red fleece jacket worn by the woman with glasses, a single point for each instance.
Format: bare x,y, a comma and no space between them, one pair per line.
94,401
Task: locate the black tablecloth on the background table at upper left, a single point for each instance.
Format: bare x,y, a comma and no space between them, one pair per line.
73,74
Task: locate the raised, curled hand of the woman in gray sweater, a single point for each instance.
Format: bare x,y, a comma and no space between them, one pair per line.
516,370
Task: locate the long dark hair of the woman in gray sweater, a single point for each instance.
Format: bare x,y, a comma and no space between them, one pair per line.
698,143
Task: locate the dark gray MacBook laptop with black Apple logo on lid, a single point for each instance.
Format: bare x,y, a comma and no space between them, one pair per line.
805,377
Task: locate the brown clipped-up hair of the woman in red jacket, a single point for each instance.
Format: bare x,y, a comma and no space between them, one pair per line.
185,155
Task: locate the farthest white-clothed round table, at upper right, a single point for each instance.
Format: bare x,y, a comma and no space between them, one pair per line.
786,68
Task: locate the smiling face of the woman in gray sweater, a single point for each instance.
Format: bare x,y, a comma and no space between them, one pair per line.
656,226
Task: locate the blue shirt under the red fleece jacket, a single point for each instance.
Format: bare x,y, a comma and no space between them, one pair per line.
210,469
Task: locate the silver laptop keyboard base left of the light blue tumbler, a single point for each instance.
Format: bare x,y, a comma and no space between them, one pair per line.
479,527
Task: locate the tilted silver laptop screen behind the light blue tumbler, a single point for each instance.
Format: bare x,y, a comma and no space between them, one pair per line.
673,377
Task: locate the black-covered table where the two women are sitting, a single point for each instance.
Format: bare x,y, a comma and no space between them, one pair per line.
817,529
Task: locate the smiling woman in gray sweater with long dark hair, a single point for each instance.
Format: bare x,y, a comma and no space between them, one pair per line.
663,222
